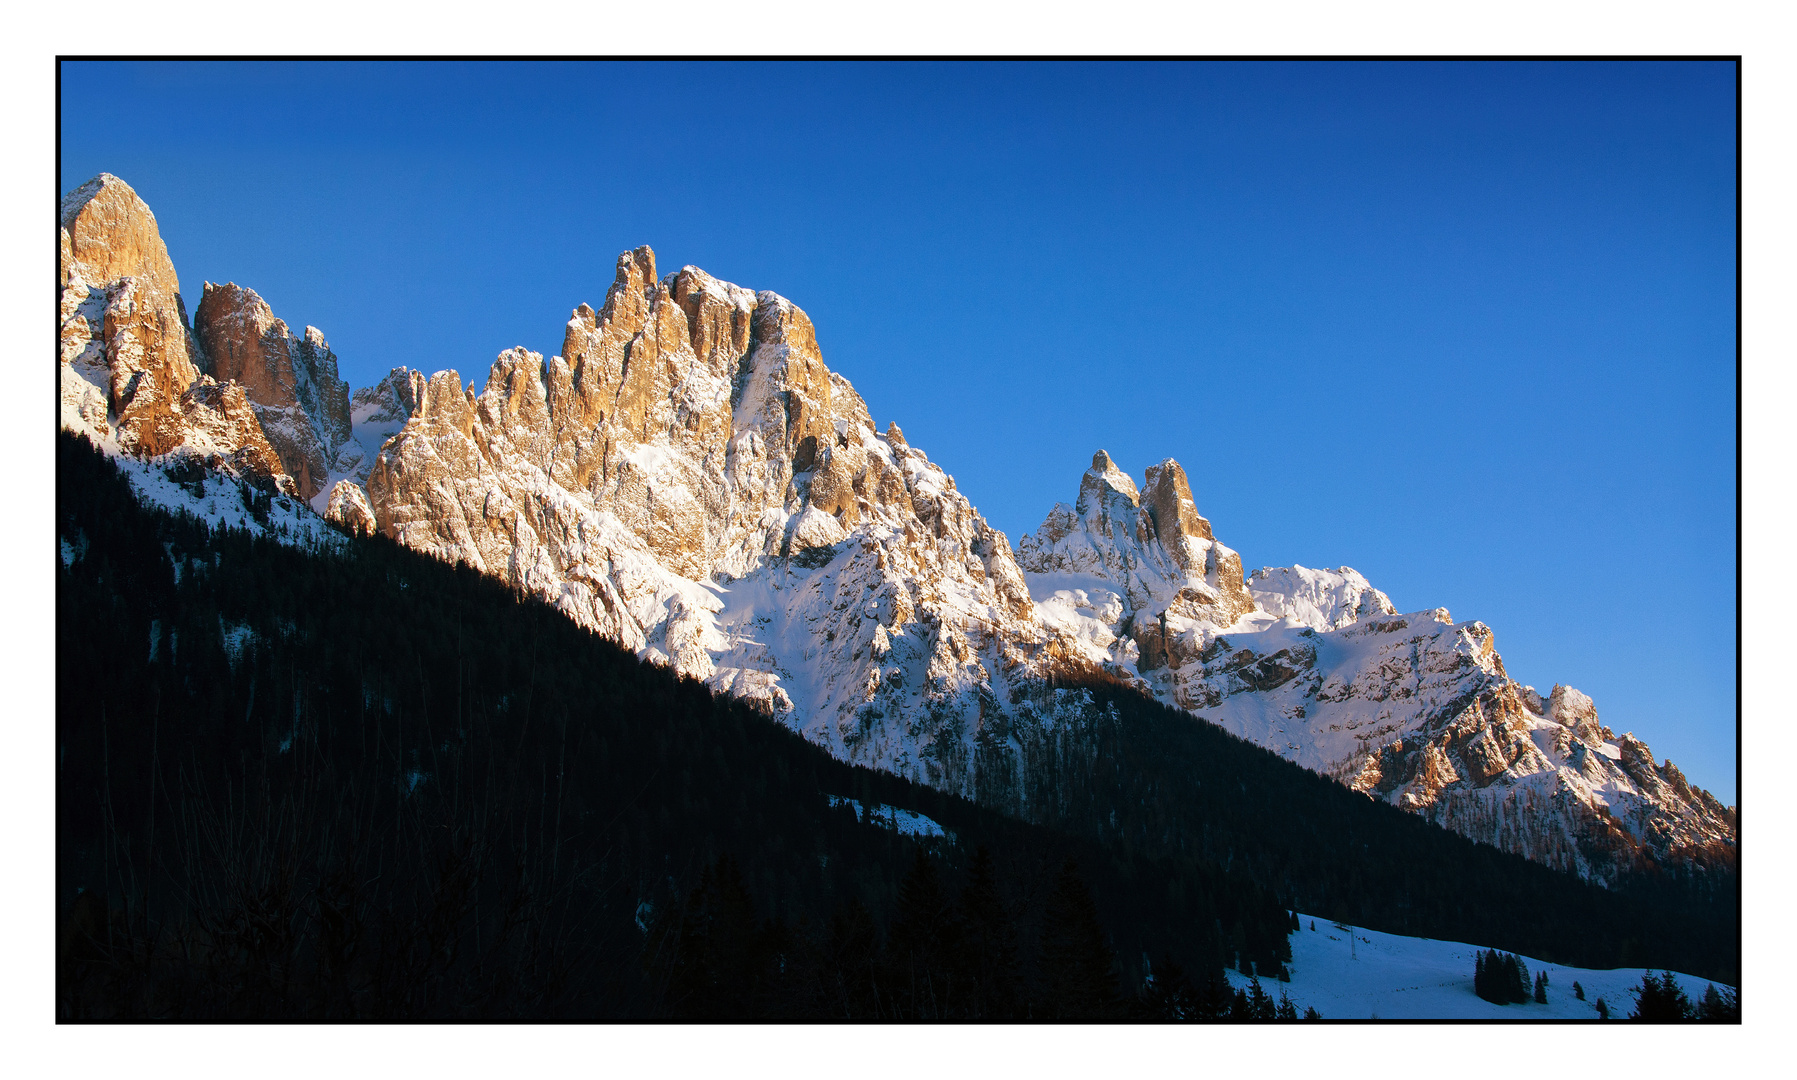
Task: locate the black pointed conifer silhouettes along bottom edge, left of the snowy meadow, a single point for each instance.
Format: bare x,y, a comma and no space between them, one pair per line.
977,952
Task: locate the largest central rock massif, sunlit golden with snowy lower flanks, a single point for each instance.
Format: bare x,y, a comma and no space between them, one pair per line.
691,481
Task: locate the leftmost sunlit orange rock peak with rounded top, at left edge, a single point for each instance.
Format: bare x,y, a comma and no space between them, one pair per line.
130,366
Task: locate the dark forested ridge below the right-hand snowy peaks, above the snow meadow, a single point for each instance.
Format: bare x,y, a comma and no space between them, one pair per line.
1151,779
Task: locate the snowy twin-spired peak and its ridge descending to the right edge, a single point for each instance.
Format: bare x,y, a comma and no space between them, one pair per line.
1320,668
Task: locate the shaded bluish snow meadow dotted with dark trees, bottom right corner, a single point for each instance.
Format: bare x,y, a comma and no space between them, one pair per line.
1397,978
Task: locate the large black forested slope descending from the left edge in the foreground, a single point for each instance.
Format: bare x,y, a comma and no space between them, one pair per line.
371,786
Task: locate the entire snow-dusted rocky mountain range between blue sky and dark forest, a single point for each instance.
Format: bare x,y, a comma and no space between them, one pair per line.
691,481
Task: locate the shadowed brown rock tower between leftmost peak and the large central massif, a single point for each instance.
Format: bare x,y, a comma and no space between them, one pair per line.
292,382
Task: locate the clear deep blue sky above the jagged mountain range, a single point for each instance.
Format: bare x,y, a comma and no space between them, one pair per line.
1464,328
